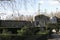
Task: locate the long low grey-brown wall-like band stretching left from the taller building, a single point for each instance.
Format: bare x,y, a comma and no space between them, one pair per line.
14,23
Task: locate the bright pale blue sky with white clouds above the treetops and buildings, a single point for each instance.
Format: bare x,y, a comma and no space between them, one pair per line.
28,7
